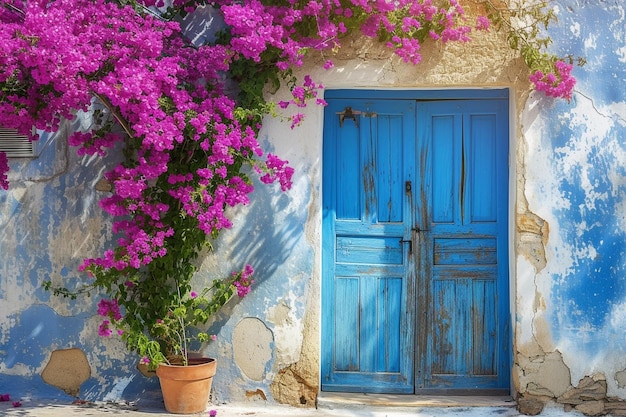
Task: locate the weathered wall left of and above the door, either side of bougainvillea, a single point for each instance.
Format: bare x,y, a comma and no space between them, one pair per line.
268,343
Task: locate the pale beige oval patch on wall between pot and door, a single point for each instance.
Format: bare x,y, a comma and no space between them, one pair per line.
252,342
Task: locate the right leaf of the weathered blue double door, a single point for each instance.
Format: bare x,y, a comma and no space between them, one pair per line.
464,246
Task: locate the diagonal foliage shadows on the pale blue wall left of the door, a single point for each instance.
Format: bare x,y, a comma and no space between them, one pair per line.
268,234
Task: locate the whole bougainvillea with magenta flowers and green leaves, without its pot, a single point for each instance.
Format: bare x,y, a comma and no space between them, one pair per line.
189,139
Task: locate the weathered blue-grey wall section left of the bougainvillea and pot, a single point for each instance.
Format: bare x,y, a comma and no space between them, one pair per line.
49,221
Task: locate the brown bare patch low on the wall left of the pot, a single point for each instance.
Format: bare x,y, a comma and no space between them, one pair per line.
67,369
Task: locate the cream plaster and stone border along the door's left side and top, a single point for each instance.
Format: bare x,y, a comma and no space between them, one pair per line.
485,62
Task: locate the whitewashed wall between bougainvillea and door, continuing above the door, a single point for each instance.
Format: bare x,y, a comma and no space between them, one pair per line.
292,282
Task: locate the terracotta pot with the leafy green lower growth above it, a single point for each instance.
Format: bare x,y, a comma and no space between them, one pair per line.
162,323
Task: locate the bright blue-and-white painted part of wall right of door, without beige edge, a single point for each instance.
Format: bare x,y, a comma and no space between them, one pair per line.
584,144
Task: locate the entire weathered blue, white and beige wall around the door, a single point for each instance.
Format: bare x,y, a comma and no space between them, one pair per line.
567,222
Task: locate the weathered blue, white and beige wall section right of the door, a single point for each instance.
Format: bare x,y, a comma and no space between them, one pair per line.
571,294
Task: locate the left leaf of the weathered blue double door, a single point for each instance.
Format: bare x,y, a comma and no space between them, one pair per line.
368,216
